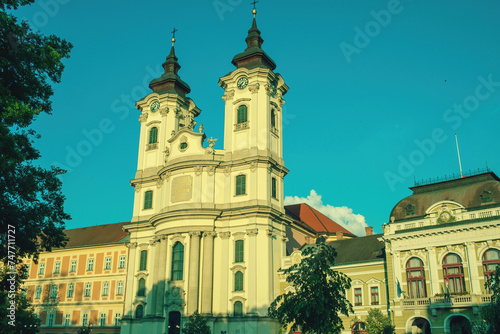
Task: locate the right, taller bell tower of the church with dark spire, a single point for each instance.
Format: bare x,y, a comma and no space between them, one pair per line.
253,102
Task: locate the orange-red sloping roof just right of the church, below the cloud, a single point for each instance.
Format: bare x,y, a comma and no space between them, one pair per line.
313,220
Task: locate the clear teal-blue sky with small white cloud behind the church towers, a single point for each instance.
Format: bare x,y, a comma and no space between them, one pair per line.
378,90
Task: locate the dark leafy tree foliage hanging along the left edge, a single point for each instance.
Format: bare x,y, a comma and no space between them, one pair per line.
31,201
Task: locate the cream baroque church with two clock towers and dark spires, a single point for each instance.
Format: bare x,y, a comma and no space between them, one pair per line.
209,227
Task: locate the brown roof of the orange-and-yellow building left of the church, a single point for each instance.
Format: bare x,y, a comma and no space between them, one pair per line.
96,235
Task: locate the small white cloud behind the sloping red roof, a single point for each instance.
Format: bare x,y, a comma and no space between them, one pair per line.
342,215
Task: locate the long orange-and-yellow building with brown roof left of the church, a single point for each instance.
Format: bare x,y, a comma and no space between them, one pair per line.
82,284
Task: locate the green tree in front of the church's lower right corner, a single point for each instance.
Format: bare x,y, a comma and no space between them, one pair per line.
319,294
